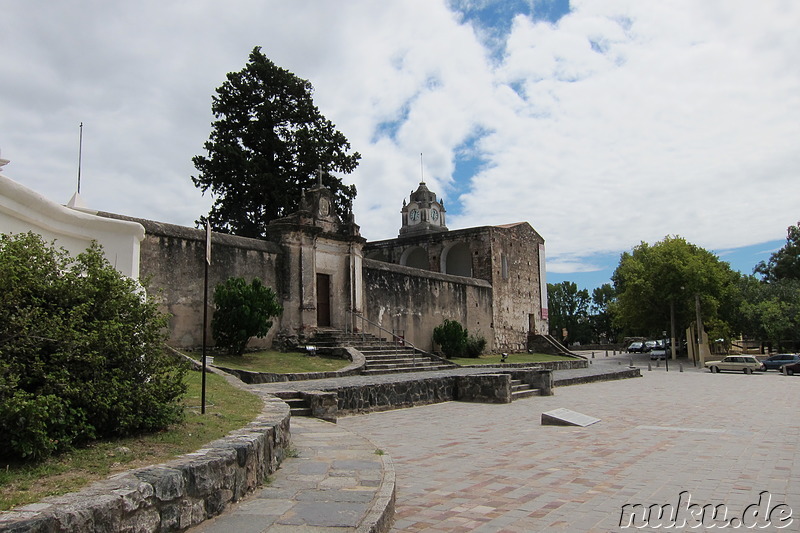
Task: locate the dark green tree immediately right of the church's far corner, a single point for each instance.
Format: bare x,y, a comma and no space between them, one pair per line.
568,308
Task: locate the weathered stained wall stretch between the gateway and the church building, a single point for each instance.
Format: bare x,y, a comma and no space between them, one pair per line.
412,302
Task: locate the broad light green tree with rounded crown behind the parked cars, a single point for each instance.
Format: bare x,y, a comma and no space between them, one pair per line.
651,279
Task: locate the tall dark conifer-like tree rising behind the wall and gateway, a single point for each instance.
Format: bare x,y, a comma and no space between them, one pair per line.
266,146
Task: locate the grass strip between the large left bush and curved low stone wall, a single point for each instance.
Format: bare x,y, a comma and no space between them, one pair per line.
227,408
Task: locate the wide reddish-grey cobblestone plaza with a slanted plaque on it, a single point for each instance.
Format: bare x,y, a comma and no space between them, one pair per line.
722,438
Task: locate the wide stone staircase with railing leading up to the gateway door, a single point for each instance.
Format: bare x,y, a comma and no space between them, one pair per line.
382,356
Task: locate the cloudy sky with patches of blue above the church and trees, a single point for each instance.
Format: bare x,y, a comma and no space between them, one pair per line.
602,123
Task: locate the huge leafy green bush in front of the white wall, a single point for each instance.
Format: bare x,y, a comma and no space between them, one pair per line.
81,351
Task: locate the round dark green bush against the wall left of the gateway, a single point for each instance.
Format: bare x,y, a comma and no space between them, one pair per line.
242,311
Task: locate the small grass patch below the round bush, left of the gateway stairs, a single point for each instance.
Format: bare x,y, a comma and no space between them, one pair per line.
278,362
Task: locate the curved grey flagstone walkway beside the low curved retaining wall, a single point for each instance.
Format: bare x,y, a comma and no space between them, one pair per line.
334,481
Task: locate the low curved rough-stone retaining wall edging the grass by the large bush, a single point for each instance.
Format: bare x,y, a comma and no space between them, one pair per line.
171,496
